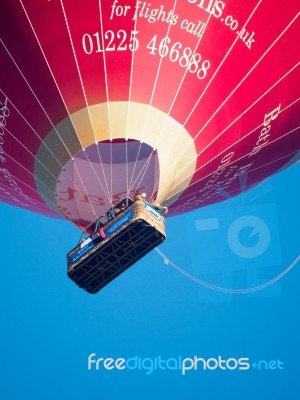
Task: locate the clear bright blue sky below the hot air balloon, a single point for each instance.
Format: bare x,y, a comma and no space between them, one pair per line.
49,327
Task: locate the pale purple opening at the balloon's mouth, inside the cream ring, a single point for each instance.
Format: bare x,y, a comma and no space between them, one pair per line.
100,175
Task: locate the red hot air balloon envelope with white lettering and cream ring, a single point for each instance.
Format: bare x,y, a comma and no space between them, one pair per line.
190,101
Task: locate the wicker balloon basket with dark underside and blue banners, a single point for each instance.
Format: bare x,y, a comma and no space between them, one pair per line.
129,237
